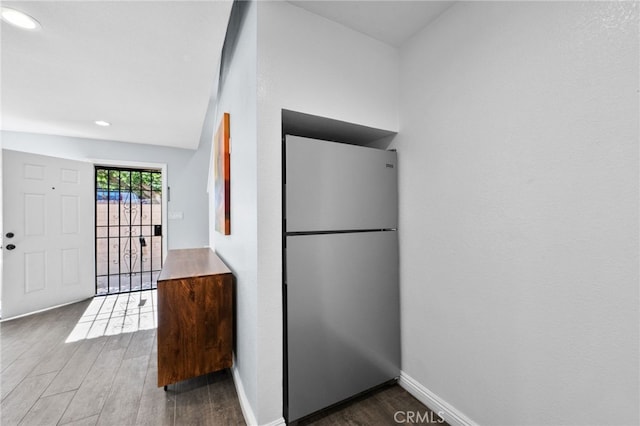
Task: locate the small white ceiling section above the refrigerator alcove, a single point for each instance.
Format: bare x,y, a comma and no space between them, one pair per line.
390,21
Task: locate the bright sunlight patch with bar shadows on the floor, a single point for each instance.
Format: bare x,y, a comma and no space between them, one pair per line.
117,314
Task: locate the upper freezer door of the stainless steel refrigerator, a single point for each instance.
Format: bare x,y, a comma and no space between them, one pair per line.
333,186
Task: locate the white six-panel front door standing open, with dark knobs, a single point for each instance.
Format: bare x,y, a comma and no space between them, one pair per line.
49,208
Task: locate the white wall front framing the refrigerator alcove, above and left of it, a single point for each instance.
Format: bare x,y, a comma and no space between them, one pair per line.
308,64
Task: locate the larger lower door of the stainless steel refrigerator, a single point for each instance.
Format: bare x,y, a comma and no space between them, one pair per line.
343,321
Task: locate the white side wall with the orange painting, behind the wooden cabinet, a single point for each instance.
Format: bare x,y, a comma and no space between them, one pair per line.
237,96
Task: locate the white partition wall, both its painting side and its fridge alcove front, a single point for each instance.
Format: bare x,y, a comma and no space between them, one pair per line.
305,63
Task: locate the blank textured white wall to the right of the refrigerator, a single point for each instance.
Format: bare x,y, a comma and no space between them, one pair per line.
518,162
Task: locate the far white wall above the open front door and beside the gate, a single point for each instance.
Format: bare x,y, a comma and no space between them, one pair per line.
186,172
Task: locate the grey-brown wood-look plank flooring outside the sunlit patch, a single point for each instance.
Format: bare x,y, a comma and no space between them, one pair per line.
111,380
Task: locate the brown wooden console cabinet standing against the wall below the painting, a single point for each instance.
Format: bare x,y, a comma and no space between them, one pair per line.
195,315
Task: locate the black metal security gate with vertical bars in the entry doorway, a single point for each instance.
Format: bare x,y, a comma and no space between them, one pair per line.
128,229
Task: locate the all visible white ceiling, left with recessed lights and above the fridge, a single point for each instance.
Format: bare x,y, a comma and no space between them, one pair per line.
148,67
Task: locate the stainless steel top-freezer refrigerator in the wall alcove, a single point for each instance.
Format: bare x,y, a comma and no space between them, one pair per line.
341,272
